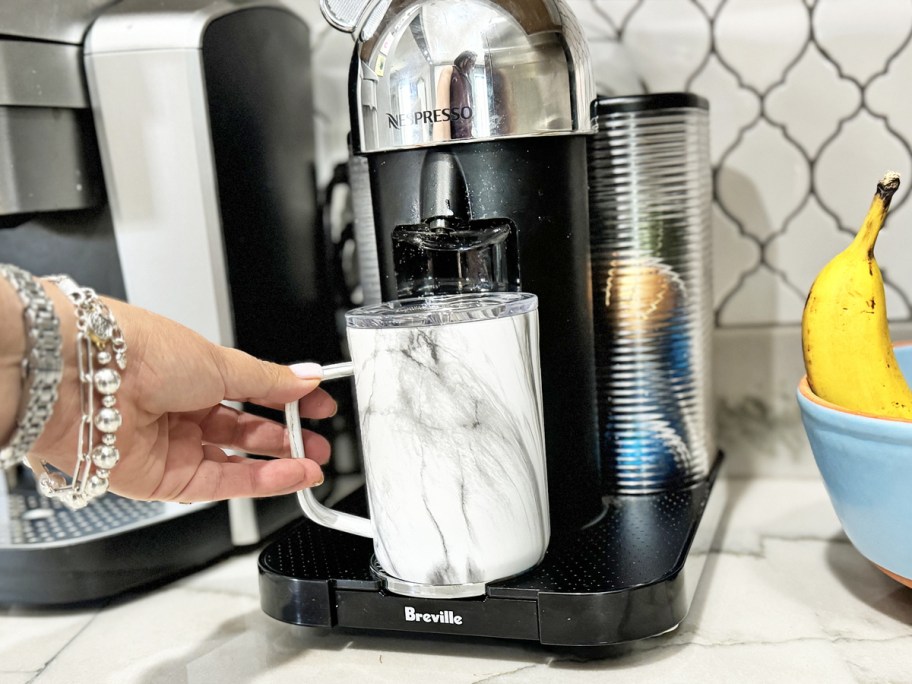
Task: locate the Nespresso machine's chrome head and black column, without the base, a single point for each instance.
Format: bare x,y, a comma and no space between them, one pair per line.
474,122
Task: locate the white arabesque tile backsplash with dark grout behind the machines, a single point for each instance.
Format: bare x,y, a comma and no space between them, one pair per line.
809,106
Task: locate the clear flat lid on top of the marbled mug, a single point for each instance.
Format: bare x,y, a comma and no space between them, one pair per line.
422,312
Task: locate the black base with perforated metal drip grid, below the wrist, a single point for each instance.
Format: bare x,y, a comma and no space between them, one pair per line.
50,555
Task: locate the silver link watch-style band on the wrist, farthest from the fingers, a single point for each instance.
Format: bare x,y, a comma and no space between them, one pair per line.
42,365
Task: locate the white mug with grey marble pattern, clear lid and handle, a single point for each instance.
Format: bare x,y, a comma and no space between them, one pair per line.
448,390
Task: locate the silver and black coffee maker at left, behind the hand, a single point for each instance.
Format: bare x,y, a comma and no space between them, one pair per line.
160,151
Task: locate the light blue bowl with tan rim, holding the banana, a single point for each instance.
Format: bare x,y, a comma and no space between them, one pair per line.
866,464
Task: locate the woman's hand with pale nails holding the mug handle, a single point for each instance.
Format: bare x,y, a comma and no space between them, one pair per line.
175,429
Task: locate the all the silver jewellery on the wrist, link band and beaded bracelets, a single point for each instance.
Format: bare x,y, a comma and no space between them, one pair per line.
101,355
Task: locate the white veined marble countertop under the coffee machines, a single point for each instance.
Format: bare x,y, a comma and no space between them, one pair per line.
783,597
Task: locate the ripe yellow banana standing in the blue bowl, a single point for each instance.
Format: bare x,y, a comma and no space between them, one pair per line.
848,354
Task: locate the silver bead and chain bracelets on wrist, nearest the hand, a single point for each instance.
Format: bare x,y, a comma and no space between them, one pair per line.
99,341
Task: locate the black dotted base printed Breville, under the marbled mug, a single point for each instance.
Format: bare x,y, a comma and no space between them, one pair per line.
630,575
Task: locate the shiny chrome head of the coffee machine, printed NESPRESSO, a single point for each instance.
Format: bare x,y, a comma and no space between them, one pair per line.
436,71
